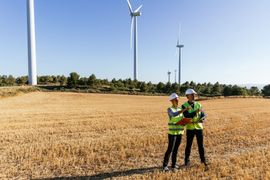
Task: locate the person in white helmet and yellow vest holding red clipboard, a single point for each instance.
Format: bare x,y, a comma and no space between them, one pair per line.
176,129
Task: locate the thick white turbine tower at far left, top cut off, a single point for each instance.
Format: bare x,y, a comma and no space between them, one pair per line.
32,69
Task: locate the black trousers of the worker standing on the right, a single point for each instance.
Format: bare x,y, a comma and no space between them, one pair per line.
190,137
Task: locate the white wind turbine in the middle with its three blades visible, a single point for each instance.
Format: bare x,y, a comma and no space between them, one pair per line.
133,29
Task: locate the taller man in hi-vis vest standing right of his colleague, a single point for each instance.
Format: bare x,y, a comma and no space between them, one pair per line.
195,128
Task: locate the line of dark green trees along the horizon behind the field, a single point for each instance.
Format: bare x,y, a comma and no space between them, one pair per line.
75,81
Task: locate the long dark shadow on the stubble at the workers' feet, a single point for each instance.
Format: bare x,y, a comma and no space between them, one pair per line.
110,174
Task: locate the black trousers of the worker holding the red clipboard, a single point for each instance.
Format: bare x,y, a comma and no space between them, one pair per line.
173,145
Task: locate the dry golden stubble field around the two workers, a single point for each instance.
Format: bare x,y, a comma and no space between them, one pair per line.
95,136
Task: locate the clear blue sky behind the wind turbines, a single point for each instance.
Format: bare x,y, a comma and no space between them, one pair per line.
225,40
